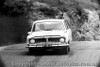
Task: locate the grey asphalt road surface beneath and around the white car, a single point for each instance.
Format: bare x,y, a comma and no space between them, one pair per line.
82,54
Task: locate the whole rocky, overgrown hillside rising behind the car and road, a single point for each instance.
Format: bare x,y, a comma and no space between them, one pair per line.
16,17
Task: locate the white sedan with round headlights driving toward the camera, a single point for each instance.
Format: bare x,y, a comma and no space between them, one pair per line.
49,34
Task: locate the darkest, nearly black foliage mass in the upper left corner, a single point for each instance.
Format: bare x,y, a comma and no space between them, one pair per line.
14,8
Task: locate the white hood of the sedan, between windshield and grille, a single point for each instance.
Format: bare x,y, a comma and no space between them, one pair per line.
47,33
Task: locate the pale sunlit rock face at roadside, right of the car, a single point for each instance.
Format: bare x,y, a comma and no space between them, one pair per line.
90,29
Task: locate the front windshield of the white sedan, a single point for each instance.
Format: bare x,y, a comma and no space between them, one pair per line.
48,26
